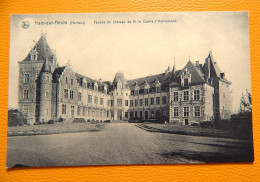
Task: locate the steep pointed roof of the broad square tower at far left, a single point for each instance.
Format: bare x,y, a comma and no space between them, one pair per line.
43,50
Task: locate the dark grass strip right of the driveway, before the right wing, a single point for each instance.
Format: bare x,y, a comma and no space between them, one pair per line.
196,131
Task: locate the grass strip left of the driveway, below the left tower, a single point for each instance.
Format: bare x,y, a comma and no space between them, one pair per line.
56,128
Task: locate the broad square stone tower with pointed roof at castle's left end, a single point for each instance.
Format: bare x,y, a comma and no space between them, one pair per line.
30,69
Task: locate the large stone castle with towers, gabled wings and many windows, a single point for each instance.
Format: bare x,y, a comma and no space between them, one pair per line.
193,94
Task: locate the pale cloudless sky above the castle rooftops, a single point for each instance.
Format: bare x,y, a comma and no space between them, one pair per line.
138,47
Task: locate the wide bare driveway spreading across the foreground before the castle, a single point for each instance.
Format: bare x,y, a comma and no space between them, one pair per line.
118,143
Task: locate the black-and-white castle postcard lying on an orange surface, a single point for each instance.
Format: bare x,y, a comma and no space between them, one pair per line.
129,88
